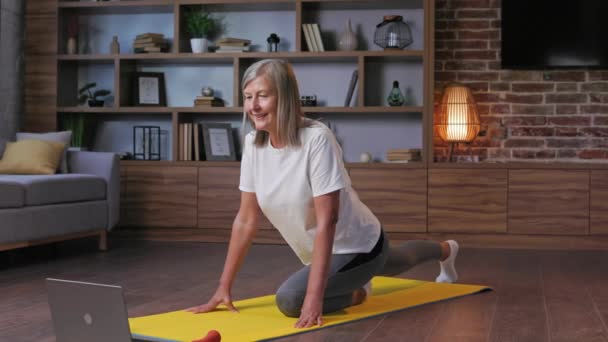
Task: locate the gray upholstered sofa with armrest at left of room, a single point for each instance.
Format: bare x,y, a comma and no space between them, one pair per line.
37,209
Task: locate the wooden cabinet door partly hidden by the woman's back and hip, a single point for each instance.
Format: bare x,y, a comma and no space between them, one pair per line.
397,197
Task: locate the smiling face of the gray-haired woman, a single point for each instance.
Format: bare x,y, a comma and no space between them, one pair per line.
261,104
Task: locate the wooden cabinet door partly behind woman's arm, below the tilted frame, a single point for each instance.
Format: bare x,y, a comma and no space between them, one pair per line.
219,198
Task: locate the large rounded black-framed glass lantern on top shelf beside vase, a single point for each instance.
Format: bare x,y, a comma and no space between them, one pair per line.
393,33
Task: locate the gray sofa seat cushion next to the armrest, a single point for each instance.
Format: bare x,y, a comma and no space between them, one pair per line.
60,188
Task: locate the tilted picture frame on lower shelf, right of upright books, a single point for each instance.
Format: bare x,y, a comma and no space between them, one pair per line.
218,141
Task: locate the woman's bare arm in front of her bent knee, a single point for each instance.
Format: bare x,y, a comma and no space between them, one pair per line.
326,210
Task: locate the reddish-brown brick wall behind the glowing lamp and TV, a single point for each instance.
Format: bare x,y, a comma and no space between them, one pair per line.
555,115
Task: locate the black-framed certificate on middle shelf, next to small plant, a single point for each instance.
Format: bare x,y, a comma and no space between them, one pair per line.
150,89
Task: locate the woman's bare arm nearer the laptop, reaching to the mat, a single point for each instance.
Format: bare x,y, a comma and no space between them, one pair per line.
243,230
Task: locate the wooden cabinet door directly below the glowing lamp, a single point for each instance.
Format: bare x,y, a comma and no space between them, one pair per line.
468,201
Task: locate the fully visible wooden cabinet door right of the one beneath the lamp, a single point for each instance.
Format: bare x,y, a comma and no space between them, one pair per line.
549,201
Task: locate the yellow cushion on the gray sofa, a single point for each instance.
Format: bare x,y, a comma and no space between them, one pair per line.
31,157
